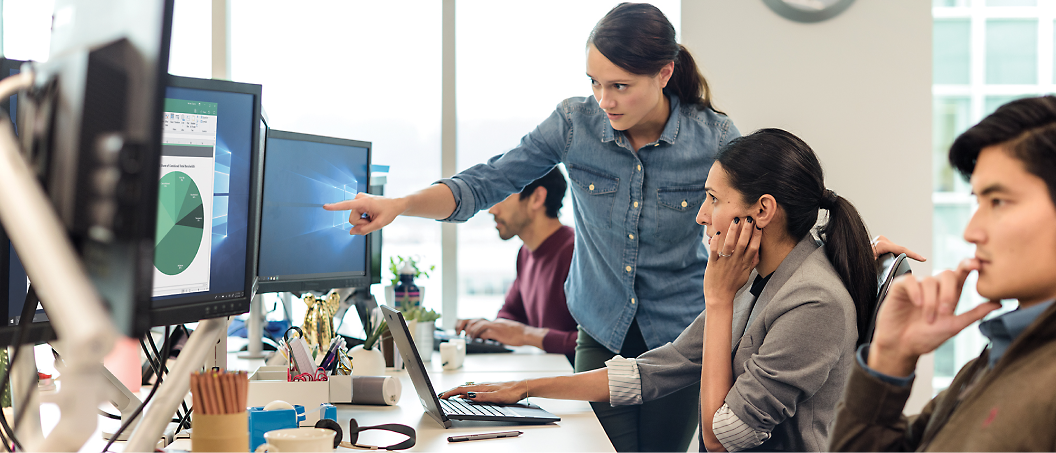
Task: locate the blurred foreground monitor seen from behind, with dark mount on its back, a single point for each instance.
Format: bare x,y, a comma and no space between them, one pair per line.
90,127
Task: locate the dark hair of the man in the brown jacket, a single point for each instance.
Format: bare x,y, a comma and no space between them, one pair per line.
1025,128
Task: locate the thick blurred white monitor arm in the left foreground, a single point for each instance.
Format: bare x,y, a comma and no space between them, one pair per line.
74,308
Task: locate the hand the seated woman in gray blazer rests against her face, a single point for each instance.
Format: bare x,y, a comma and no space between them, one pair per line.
733,257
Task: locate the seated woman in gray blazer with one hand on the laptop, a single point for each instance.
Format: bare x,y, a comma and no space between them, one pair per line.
787,309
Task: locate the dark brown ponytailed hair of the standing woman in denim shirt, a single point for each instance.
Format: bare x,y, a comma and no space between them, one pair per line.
639,39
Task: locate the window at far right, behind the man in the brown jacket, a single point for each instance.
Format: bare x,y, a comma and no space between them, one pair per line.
986,54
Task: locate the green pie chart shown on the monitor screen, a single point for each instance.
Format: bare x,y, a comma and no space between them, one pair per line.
181,223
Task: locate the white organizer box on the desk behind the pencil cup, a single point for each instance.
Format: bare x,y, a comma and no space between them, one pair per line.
269,384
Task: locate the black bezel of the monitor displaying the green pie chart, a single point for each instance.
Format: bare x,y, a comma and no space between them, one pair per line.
199,308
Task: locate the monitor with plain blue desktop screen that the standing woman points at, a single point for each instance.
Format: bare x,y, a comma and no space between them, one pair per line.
304,248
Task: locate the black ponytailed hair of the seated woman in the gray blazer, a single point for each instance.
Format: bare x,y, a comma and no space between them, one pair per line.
776,162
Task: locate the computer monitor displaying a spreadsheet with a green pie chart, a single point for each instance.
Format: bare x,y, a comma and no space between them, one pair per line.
205,253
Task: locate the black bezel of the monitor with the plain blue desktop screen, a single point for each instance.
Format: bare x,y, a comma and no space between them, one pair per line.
328,282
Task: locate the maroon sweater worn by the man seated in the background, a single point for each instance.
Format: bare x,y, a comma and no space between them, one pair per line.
538,295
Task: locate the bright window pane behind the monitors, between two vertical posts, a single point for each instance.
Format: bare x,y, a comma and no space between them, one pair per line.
368,71
